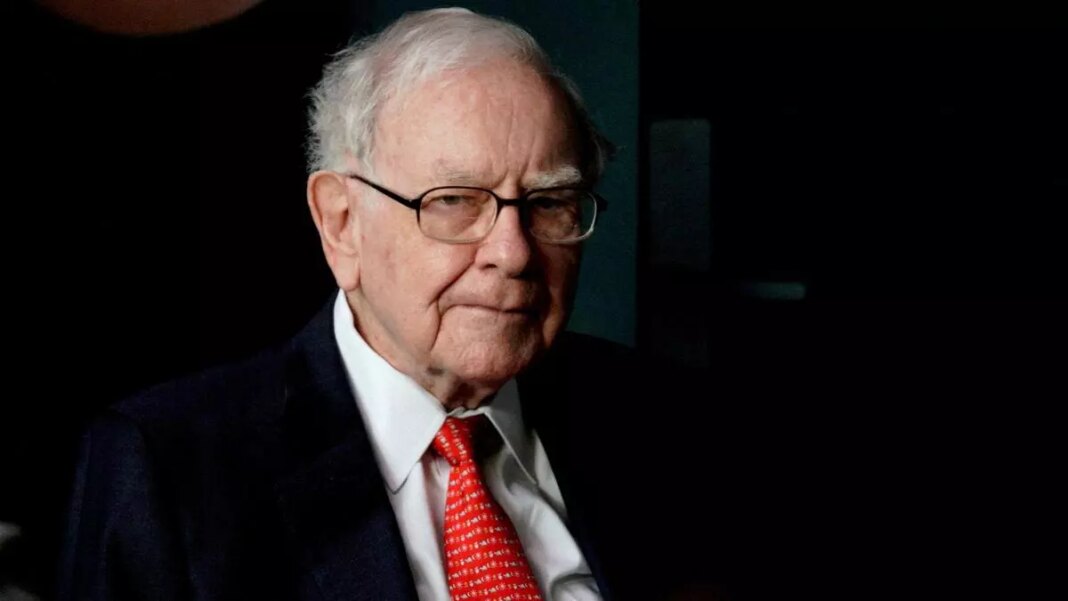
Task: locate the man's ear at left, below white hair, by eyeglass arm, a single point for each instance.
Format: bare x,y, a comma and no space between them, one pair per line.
328,200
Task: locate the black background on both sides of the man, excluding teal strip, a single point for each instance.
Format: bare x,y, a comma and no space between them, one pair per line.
891,432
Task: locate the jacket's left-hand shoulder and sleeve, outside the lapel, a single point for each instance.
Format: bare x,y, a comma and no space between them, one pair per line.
184,466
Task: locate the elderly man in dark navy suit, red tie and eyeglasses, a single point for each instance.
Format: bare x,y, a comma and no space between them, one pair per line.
419,440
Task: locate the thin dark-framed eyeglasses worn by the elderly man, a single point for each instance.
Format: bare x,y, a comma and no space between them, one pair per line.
459,214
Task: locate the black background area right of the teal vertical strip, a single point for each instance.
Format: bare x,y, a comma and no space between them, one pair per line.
894,431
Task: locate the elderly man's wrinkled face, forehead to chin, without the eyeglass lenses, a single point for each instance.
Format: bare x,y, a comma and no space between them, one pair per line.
476,313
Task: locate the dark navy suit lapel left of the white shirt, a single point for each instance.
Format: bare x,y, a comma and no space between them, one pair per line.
332,495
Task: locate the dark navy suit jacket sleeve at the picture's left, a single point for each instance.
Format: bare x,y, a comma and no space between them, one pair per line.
121,542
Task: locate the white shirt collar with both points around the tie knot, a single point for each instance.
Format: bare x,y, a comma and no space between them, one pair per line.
402,418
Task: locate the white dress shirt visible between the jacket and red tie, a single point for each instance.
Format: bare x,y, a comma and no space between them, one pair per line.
402,420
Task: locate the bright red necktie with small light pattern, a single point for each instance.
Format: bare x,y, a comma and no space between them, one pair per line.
483,557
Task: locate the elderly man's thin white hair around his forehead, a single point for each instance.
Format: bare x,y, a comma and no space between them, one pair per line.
363,77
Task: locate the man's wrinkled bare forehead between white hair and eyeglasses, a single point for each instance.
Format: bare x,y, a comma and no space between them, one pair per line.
479,126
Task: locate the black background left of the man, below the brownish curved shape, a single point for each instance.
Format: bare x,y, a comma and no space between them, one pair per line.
155,223
